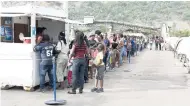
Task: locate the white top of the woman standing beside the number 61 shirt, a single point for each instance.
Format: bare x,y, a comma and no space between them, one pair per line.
62,47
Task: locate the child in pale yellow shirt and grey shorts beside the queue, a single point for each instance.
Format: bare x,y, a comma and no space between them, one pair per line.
99,65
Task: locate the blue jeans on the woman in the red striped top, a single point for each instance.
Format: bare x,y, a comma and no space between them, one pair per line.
78,70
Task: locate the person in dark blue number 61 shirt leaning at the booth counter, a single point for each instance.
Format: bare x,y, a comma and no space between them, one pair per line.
46,50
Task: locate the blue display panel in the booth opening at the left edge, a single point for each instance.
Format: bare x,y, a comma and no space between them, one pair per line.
6,32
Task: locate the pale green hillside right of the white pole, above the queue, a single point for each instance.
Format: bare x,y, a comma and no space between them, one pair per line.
149,12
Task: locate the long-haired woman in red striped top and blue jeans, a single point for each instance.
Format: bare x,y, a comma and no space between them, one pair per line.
77,53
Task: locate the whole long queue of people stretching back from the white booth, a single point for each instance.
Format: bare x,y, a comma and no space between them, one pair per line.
85,57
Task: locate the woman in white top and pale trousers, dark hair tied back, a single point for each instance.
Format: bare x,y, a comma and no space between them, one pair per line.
62,59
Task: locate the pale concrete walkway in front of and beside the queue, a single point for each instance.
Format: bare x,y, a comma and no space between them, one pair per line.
153,78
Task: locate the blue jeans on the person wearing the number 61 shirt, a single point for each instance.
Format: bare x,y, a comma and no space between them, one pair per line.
43,70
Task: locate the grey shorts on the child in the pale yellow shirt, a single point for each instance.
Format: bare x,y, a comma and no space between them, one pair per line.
100,73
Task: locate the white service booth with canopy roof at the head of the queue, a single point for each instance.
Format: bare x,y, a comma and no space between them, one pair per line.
19,65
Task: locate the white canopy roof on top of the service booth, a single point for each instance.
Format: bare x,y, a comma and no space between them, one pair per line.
41,11
